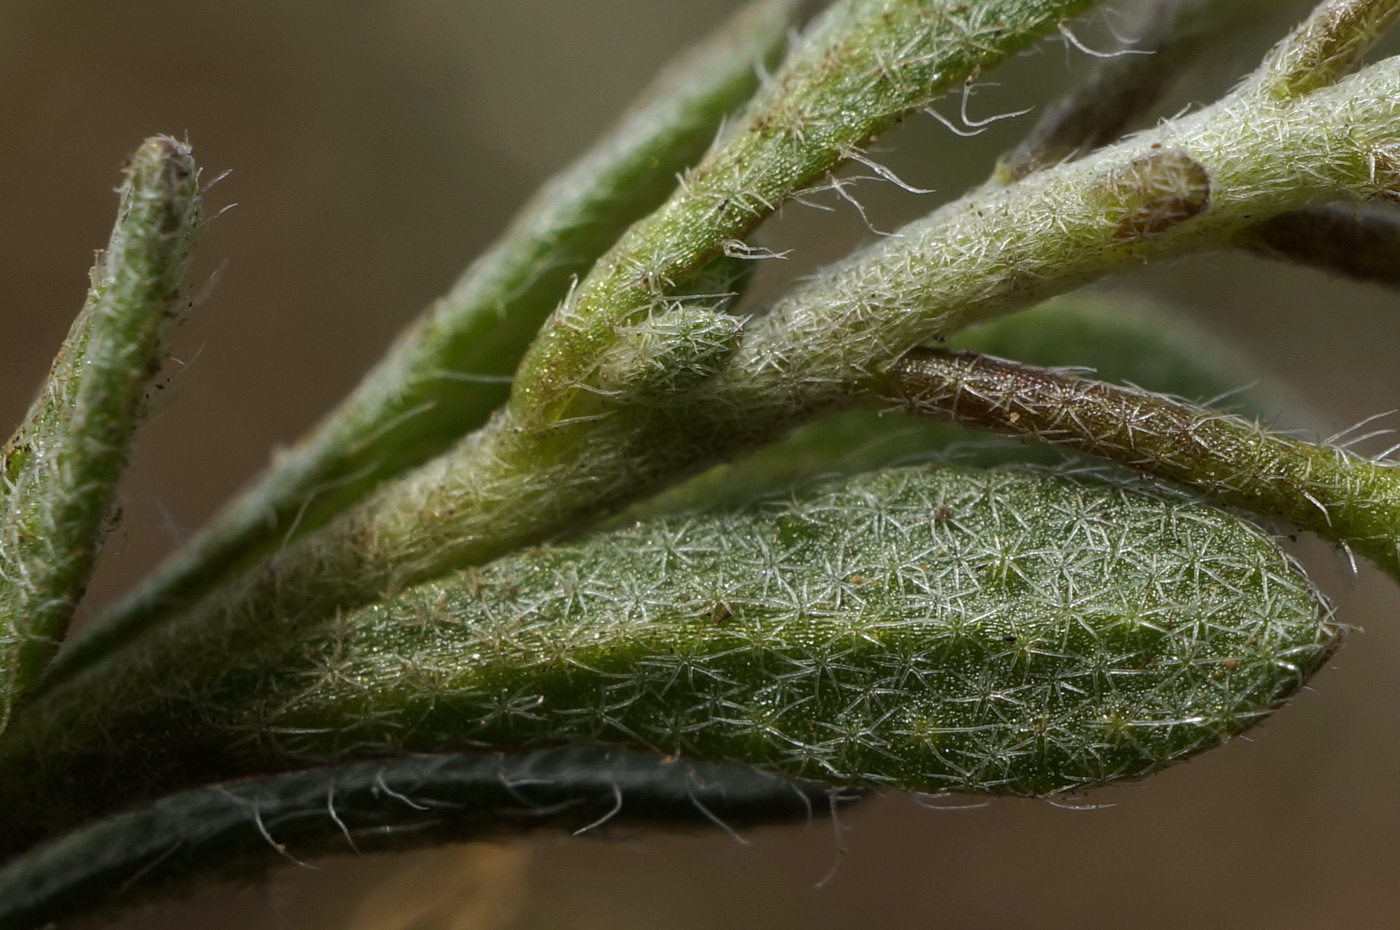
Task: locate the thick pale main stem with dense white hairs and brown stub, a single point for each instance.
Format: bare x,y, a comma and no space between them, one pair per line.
1191,186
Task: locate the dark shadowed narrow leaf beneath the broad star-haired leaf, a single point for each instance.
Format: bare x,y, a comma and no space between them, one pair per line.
241,828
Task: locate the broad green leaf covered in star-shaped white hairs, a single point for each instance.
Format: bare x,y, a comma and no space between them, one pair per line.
933,630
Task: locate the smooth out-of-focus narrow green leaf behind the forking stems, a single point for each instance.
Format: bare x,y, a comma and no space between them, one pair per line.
451,369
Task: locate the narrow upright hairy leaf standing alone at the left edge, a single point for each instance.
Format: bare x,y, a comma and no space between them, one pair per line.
61,470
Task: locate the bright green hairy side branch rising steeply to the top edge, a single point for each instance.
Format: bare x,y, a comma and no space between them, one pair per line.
864,67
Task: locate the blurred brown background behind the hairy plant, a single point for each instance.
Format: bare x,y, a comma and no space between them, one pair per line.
374,149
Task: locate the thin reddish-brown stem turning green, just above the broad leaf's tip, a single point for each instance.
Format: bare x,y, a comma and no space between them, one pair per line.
1342,498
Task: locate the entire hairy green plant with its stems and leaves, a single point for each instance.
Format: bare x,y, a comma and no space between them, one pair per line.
563,555
